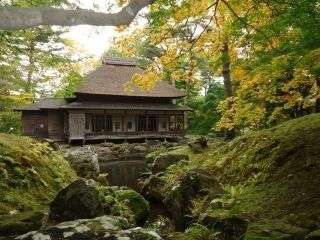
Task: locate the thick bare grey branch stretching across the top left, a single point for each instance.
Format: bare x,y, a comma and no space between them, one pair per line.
21,18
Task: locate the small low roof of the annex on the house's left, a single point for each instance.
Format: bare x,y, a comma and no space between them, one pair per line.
45,103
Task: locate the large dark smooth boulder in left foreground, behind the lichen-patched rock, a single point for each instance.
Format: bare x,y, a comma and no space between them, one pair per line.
78,200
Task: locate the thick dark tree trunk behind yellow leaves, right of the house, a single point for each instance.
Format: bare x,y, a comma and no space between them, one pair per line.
229,134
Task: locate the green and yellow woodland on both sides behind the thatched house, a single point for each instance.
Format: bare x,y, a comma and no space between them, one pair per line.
244,65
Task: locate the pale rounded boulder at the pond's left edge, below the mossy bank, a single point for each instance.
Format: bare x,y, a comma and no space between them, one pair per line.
84,161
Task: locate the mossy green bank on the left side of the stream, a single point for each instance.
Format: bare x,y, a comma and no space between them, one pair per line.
31,174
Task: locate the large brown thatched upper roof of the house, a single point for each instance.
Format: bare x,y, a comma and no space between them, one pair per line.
112,77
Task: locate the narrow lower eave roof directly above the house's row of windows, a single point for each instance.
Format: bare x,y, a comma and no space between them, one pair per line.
125,106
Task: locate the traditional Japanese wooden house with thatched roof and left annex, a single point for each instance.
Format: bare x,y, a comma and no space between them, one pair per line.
103,109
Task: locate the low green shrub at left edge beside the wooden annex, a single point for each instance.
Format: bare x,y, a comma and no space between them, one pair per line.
8,120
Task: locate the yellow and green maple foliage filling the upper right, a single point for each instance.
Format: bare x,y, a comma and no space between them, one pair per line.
269,53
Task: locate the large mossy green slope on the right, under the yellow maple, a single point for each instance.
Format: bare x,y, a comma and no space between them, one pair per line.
269,174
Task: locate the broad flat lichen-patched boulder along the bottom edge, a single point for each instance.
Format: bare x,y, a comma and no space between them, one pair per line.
100,228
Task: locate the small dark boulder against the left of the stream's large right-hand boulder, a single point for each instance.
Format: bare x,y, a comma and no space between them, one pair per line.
152,188
